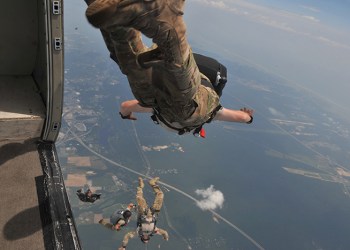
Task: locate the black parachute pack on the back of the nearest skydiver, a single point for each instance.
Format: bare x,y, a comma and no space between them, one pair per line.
215,71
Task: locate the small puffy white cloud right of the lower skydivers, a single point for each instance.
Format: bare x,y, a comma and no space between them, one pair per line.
212,198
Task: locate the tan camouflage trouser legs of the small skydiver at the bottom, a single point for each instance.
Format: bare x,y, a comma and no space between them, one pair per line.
142,204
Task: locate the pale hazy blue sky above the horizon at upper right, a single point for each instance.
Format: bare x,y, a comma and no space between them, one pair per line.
305,42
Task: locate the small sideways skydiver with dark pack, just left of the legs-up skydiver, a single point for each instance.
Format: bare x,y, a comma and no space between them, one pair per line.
119,218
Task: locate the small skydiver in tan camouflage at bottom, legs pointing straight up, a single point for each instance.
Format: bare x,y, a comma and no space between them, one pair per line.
147,216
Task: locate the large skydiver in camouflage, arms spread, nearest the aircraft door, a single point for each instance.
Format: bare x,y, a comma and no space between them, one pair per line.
165,78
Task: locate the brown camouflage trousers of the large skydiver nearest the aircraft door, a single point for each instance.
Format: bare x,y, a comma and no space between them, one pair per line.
173,88
